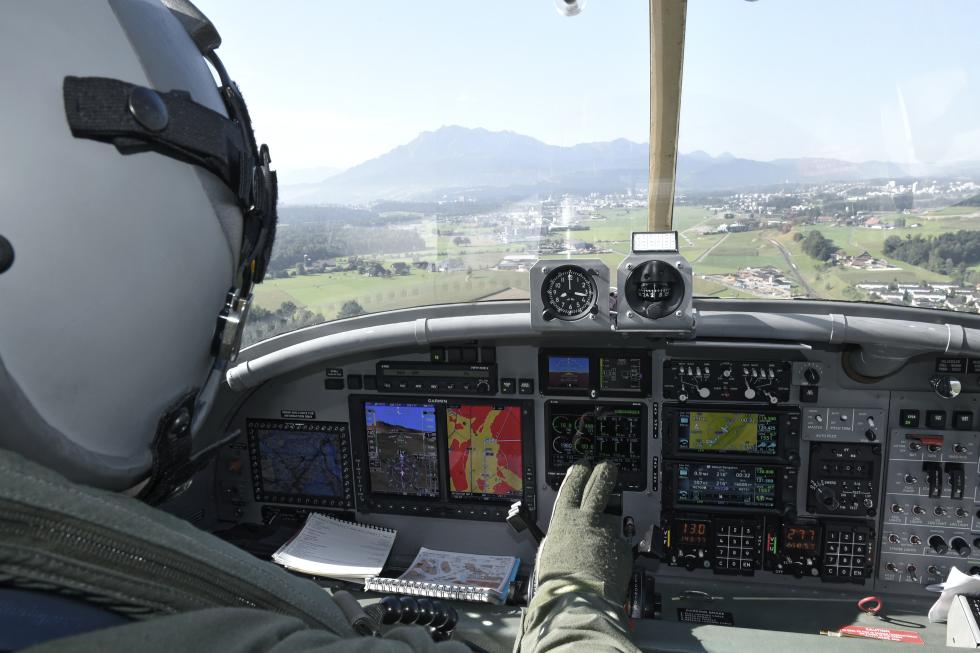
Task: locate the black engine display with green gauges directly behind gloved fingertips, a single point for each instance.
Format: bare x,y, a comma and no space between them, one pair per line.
594,432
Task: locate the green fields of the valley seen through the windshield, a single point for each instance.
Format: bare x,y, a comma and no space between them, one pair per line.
715,254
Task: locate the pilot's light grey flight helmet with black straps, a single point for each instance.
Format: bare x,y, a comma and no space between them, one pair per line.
137,213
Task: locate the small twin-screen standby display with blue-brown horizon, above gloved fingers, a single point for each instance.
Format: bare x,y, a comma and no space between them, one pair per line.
595,373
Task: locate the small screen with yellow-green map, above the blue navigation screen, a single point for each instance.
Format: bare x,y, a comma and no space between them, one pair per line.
723,432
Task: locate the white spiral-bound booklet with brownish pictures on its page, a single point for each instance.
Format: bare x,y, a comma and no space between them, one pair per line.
457,576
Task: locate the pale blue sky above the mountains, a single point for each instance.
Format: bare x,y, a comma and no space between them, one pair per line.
333,83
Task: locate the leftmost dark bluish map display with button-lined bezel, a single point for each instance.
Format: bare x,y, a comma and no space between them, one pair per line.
300,462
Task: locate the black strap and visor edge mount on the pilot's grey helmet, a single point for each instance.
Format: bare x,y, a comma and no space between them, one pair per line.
139,119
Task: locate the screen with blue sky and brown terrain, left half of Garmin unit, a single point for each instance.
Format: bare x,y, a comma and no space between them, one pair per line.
403,455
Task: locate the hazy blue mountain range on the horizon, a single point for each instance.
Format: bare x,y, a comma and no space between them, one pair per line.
483,164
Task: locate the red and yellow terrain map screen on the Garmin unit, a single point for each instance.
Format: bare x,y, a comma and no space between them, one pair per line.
484,443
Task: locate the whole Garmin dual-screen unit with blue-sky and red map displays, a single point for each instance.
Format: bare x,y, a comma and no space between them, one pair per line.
461,458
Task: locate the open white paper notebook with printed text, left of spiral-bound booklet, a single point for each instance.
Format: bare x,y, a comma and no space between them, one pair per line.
333,548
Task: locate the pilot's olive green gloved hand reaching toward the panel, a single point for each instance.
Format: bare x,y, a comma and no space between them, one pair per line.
583,548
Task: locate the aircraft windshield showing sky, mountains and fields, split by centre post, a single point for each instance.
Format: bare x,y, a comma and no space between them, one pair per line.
431,152
